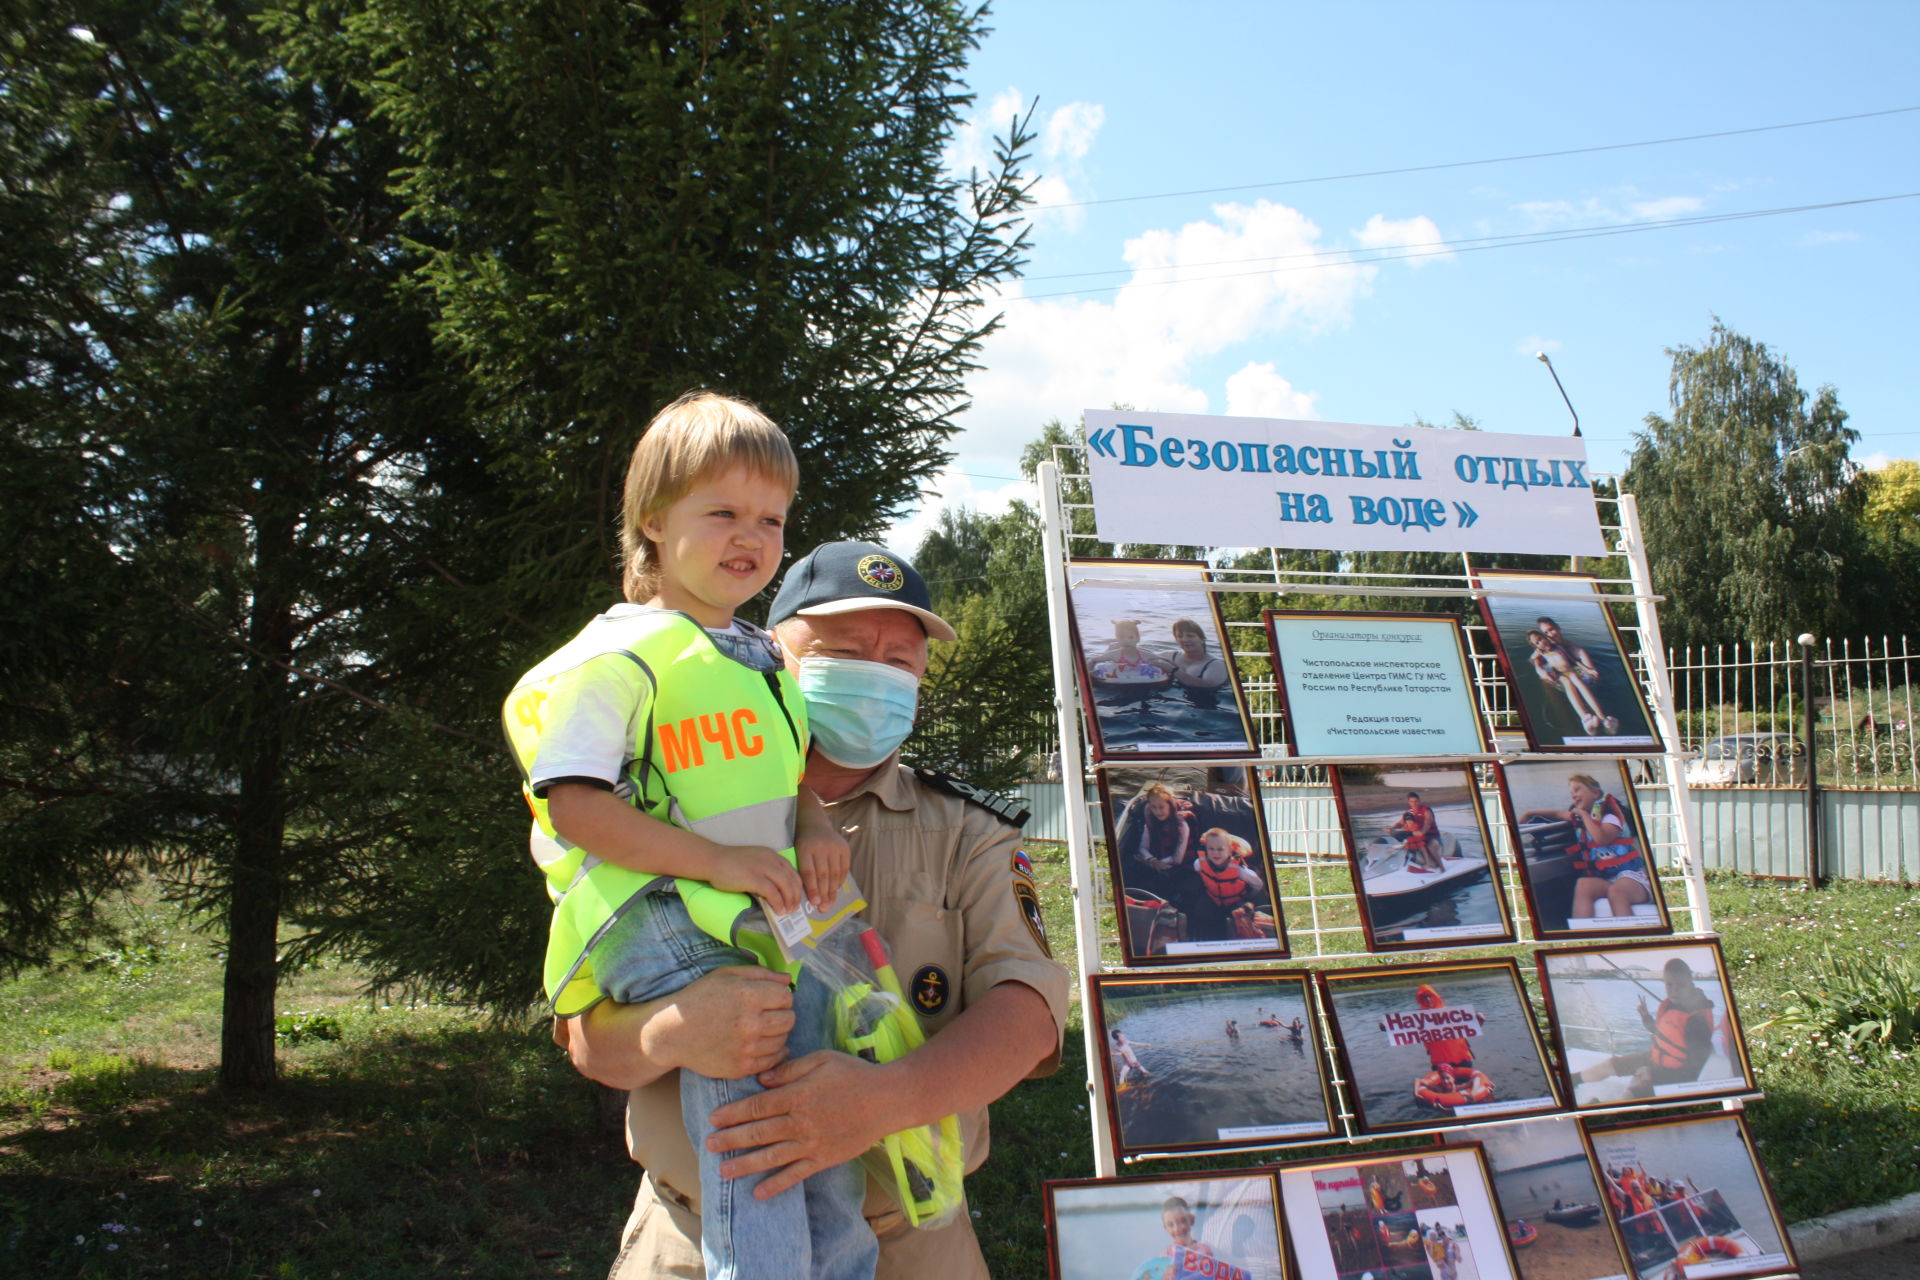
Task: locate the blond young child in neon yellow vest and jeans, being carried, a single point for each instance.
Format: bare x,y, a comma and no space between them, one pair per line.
661,753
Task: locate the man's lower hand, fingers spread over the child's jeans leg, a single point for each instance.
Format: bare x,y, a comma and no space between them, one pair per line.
817,1112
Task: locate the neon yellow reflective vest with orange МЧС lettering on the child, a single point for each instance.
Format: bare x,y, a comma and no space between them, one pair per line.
719,753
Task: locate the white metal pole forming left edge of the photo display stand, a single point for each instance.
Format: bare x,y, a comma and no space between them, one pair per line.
1074,795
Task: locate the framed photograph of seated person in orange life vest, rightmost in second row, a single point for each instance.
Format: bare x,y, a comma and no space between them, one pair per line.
1583,849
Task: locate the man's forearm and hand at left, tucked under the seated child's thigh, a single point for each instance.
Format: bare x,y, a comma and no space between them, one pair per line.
727,1026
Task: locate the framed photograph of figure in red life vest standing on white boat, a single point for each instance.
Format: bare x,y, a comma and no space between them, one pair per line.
1422,857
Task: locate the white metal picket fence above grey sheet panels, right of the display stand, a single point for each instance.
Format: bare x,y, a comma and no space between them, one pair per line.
1750,713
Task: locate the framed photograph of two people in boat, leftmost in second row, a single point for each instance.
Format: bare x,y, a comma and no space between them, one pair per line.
1189,855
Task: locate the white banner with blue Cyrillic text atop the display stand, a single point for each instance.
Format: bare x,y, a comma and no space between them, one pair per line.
1186,479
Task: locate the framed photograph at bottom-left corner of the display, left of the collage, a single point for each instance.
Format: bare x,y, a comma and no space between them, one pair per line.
1186,1227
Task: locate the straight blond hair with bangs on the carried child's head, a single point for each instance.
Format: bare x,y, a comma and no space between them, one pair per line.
700,435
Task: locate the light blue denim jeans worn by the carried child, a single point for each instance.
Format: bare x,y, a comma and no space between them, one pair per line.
813,1229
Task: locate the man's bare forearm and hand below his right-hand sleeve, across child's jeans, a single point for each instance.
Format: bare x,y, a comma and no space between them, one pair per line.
828,1108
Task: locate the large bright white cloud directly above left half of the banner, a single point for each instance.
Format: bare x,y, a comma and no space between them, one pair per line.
1247,273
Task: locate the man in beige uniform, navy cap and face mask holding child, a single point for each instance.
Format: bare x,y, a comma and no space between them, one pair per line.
949,891
